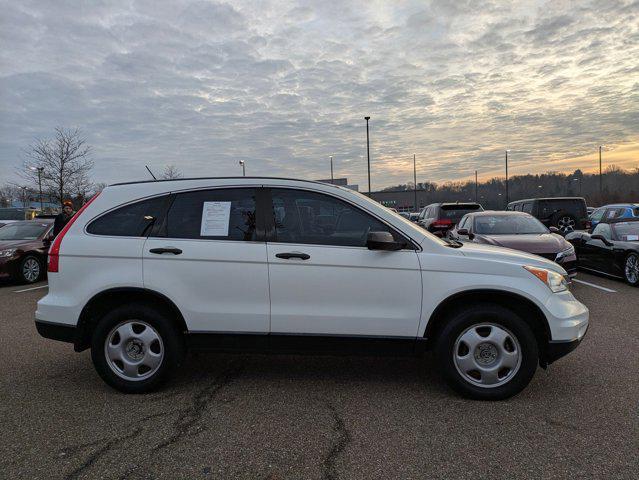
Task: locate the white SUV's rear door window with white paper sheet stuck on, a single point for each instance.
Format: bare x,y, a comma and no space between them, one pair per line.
219,214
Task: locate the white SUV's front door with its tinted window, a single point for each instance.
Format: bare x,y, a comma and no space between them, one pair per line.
323,279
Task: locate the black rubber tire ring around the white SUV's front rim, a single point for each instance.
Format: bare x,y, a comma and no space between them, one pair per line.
462,321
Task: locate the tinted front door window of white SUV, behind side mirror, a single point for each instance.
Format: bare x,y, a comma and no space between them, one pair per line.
313,218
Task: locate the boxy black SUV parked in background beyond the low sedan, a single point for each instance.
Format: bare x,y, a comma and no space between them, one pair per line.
565,213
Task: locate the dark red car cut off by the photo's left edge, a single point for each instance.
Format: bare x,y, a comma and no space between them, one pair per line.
23,249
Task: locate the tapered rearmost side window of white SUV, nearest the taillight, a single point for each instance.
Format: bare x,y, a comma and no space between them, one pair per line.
133,220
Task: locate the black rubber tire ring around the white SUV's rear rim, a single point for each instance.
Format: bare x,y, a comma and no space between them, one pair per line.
172,346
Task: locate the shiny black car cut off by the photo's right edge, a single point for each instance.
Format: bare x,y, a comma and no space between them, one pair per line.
612,249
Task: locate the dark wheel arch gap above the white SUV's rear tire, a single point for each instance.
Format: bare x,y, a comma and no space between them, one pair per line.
98,305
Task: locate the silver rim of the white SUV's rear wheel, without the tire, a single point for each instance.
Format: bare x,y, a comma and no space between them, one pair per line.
134,350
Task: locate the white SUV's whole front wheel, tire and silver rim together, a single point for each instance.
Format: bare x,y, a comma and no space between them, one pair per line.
487,352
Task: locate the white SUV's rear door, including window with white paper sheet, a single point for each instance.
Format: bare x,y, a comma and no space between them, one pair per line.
209,257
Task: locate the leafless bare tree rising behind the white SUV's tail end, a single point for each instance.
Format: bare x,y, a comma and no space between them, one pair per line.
64,163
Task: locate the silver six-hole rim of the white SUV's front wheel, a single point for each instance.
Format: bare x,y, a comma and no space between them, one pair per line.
487,355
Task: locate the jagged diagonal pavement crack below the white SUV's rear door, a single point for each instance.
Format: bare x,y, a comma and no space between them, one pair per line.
190,417
